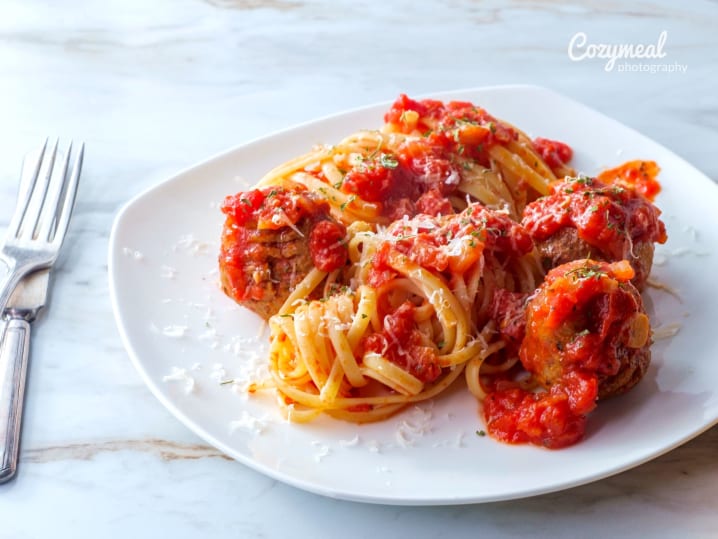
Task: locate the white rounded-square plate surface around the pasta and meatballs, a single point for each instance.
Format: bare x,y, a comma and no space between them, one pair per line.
171,313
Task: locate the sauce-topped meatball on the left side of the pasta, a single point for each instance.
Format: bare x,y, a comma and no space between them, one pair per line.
272,238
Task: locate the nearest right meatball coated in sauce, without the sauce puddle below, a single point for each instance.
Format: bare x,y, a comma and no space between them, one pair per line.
587,318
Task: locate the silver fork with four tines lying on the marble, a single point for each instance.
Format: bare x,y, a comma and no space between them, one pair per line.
42,214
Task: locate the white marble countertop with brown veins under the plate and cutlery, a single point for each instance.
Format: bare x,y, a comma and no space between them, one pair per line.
153,87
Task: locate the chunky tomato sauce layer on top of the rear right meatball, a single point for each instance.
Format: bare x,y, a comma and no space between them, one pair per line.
609,217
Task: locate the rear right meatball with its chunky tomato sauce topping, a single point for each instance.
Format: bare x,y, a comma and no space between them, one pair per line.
584,217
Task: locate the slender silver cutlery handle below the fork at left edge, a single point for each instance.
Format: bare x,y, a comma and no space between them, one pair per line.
13,368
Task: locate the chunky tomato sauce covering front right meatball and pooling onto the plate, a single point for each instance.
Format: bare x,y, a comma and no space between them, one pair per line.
582,323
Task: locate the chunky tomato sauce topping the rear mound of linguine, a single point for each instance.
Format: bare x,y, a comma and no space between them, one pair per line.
420,176
